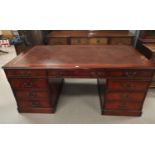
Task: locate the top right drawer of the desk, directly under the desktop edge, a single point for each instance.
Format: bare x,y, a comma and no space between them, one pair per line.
132,74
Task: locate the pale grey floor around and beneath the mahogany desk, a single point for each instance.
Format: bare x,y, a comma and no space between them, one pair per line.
78,103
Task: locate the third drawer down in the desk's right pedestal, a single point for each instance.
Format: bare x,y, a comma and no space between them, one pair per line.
125,96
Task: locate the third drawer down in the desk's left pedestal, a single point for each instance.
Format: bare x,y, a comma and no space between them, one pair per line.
31,95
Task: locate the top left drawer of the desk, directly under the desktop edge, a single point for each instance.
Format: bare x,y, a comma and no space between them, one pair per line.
25,73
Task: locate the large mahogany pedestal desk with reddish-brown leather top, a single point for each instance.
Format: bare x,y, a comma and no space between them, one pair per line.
36,77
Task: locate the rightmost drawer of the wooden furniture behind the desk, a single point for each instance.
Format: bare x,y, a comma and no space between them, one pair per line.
121,41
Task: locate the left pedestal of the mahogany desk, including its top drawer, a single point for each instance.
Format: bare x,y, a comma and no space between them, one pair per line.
34,92
